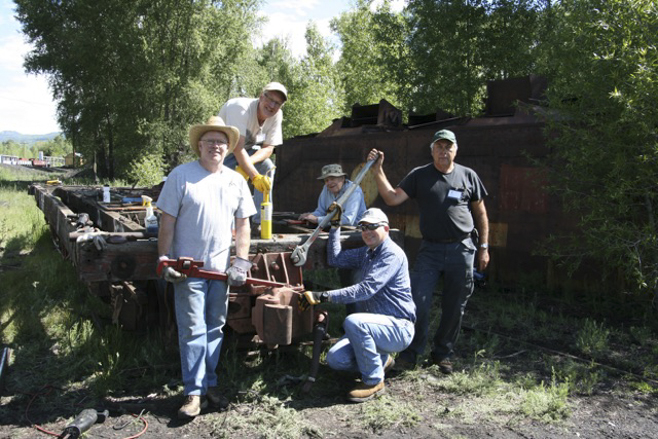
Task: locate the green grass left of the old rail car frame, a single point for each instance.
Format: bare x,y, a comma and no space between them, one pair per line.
46,314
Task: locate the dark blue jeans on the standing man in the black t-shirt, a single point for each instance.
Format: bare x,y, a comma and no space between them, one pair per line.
455,262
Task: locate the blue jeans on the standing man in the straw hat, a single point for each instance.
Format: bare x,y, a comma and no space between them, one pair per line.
201,307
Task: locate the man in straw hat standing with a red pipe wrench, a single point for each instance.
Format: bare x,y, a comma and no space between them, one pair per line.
199,202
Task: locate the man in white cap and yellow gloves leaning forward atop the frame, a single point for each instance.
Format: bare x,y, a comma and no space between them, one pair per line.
259,121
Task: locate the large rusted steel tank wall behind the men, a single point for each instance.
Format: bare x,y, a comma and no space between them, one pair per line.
496,148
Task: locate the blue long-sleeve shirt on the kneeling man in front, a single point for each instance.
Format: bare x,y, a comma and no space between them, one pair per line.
384,288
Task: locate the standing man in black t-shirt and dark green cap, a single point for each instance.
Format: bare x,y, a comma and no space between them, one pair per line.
450,200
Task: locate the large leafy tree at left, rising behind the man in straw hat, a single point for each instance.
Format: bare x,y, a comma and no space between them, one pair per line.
132,76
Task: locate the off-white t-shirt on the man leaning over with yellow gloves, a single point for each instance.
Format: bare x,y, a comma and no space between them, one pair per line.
241,113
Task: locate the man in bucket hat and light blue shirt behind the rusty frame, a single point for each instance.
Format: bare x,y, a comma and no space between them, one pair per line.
335,185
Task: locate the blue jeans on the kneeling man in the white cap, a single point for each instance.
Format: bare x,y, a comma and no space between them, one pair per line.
368,340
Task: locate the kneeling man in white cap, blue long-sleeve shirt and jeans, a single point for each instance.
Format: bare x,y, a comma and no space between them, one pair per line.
384,316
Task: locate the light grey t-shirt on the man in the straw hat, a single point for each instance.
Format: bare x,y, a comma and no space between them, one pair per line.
204,205
